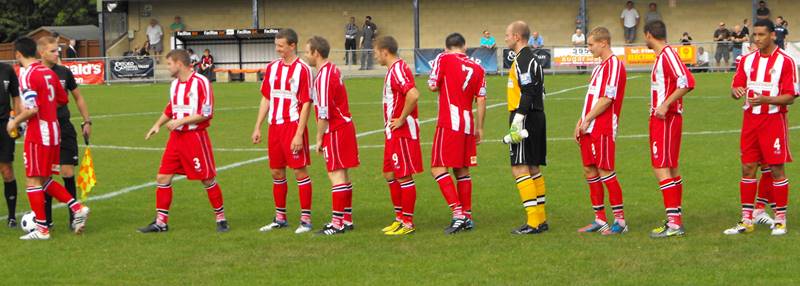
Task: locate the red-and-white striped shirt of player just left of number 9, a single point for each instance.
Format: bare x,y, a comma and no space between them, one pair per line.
330,97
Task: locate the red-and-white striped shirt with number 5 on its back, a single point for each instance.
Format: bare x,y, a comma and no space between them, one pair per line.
39,87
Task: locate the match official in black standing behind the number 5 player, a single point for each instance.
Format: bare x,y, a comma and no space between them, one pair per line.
48,50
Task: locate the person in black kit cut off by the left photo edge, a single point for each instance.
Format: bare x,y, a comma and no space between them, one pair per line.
9,100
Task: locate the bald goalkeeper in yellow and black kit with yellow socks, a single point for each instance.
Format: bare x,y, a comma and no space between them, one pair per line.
527,138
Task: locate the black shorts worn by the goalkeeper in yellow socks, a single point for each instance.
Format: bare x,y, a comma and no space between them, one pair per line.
532,151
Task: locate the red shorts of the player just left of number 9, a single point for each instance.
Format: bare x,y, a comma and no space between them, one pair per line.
340,148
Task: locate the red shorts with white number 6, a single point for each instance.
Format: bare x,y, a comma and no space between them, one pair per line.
665,140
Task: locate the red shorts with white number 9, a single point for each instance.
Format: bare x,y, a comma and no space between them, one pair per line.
402,156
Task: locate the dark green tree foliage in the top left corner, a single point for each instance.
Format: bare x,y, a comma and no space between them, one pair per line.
18,17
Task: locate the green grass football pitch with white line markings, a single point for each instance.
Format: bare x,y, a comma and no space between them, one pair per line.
111,252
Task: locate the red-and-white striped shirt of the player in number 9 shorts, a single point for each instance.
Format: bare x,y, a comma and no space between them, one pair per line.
398,81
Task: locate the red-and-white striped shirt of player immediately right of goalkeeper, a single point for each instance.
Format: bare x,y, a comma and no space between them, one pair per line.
608,80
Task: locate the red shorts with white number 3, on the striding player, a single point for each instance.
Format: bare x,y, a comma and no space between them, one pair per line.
189,153
